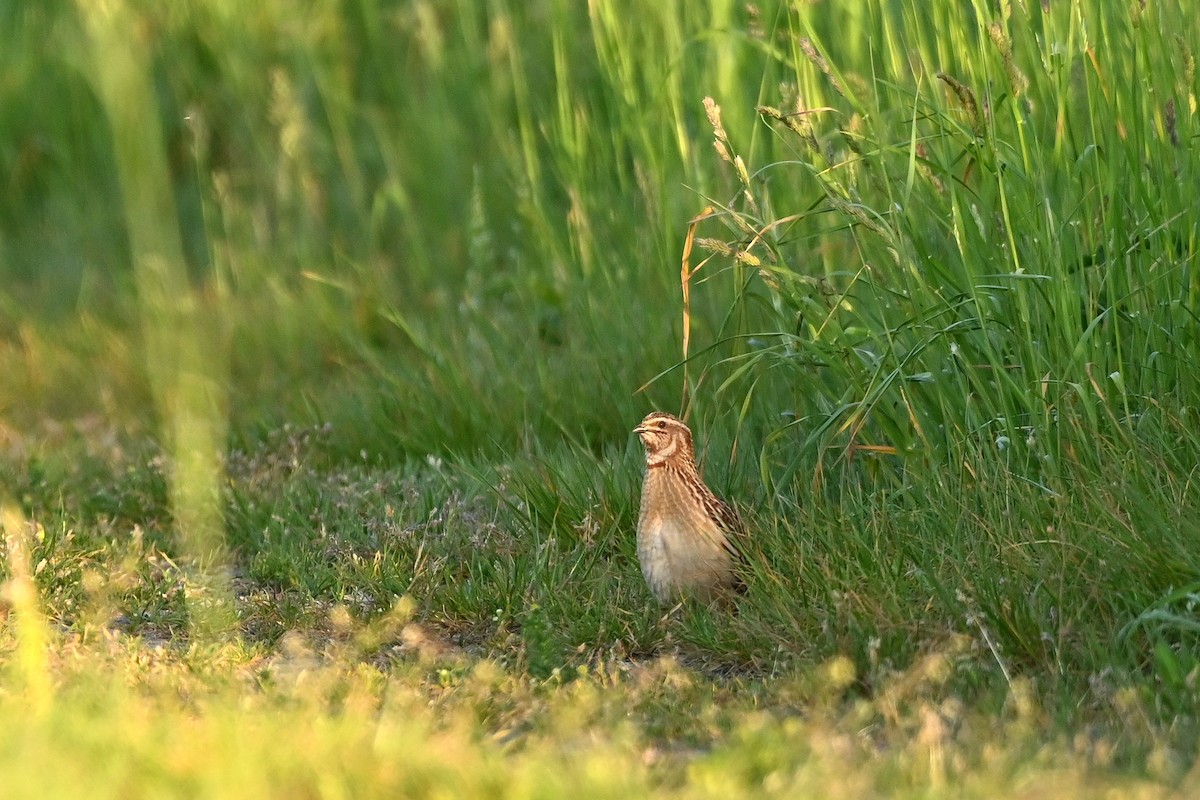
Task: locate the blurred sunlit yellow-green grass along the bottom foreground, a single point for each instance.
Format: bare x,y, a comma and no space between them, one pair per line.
314,719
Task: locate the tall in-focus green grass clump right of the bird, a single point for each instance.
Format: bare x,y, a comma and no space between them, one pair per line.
953,285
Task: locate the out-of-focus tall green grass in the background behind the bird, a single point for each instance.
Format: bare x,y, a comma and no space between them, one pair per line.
429,207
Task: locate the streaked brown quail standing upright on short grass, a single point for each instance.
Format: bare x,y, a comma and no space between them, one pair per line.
683,531
